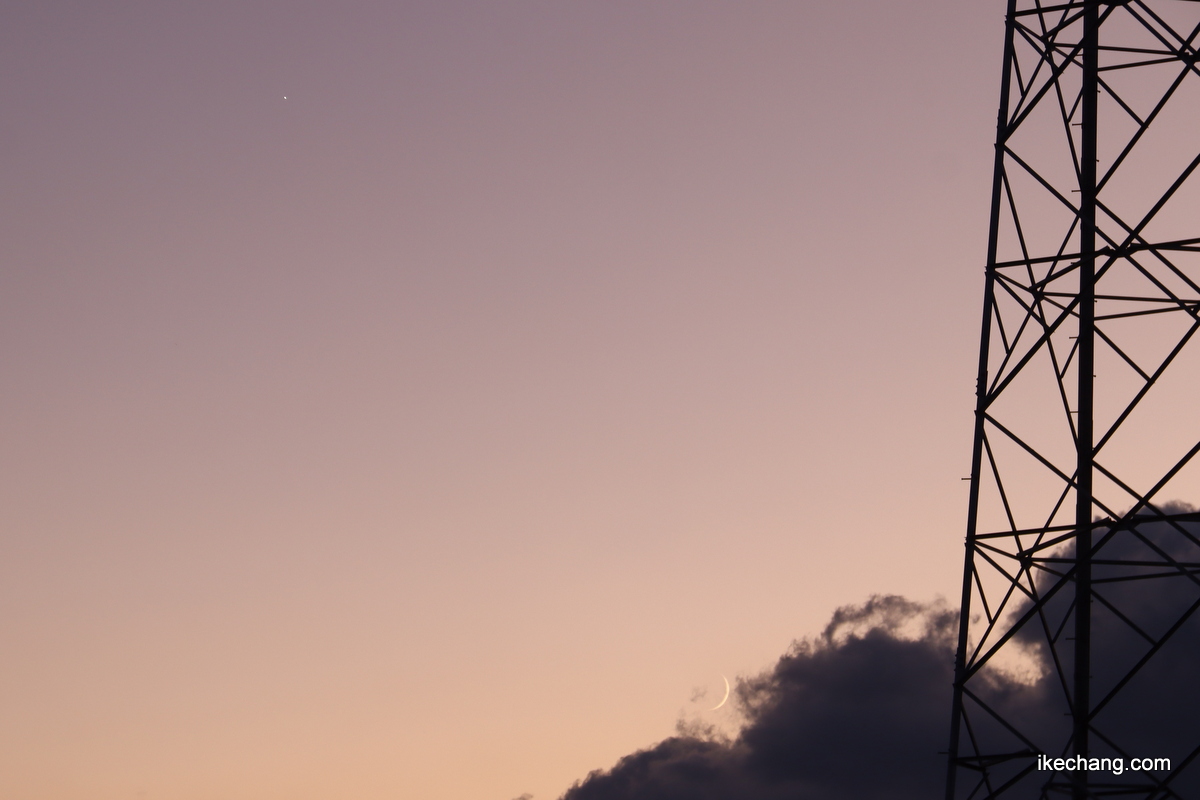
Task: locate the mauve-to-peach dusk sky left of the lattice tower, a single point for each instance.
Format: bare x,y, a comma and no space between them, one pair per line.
437,400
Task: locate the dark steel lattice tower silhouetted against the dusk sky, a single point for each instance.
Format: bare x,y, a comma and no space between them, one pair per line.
1083,578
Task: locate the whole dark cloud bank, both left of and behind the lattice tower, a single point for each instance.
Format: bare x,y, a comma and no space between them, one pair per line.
862,712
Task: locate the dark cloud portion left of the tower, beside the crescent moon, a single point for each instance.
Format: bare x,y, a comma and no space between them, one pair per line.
860,712
